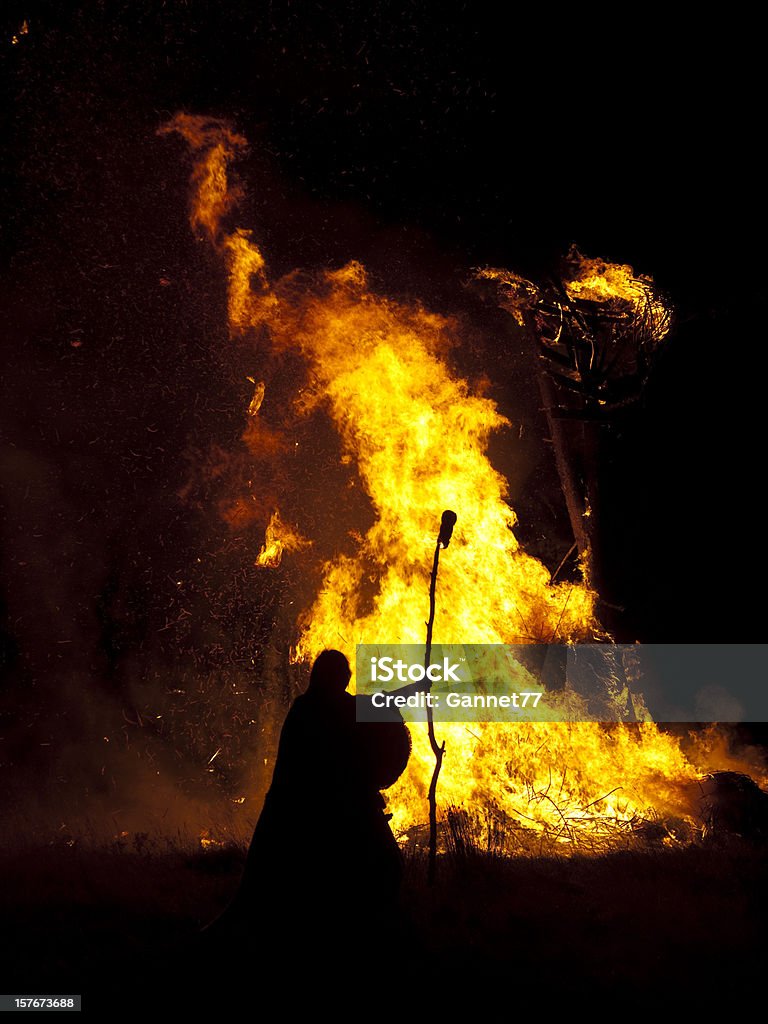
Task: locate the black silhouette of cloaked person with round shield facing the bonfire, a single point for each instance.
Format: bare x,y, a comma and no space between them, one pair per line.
323,861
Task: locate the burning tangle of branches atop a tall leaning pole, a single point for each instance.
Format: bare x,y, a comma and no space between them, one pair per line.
595,330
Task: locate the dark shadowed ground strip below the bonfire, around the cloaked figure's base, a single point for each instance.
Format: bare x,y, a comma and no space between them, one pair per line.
681,927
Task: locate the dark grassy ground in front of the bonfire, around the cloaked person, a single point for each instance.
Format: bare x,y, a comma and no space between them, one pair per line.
100,920
